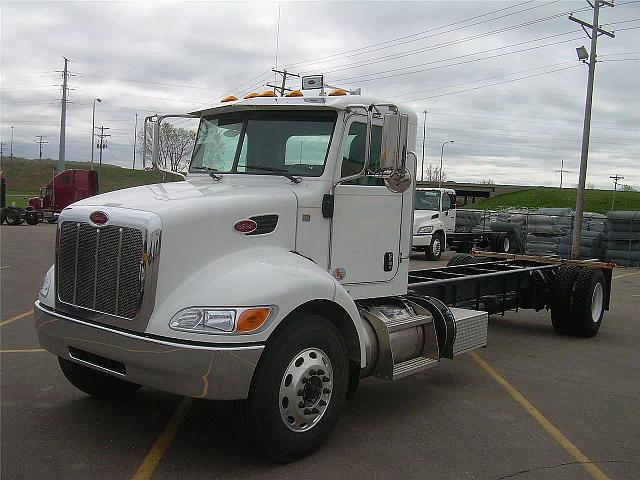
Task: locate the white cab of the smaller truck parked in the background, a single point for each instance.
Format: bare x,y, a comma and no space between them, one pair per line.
434,218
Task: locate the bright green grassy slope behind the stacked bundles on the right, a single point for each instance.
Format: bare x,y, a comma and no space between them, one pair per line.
594,200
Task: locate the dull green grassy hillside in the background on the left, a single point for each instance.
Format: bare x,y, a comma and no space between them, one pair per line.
25,175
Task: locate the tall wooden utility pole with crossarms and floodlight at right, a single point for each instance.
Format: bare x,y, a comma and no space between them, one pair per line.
582,179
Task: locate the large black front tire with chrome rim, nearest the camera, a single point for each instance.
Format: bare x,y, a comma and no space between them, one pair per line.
310,354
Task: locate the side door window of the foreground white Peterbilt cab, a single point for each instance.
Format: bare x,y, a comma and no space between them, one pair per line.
353,159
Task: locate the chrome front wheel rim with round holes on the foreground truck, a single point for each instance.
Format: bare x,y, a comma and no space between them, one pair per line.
305,390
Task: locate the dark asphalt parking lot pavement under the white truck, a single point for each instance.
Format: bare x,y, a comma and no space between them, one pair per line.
532,405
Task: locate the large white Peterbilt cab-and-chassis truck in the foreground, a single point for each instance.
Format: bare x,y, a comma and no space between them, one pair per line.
276,275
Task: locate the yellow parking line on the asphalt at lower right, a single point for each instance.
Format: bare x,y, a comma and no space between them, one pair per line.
557,435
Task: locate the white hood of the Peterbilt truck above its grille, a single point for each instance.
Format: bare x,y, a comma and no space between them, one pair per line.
198,220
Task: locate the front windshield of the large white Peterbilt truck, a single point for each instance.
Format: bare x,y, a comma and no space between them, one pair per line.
264,142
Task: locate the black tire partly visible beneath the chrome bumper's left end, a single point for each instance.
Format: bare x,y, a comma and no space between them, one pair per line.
96,384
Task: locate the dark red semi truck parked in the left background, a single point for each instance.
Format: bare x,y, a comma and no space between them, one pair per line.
63,190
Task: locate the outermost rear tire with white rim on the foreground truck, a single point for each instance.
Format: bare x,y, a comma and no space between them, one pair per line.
588,302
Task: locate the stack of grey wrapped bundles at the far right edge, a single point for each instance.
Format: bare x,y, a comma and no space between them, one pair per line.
623,238
